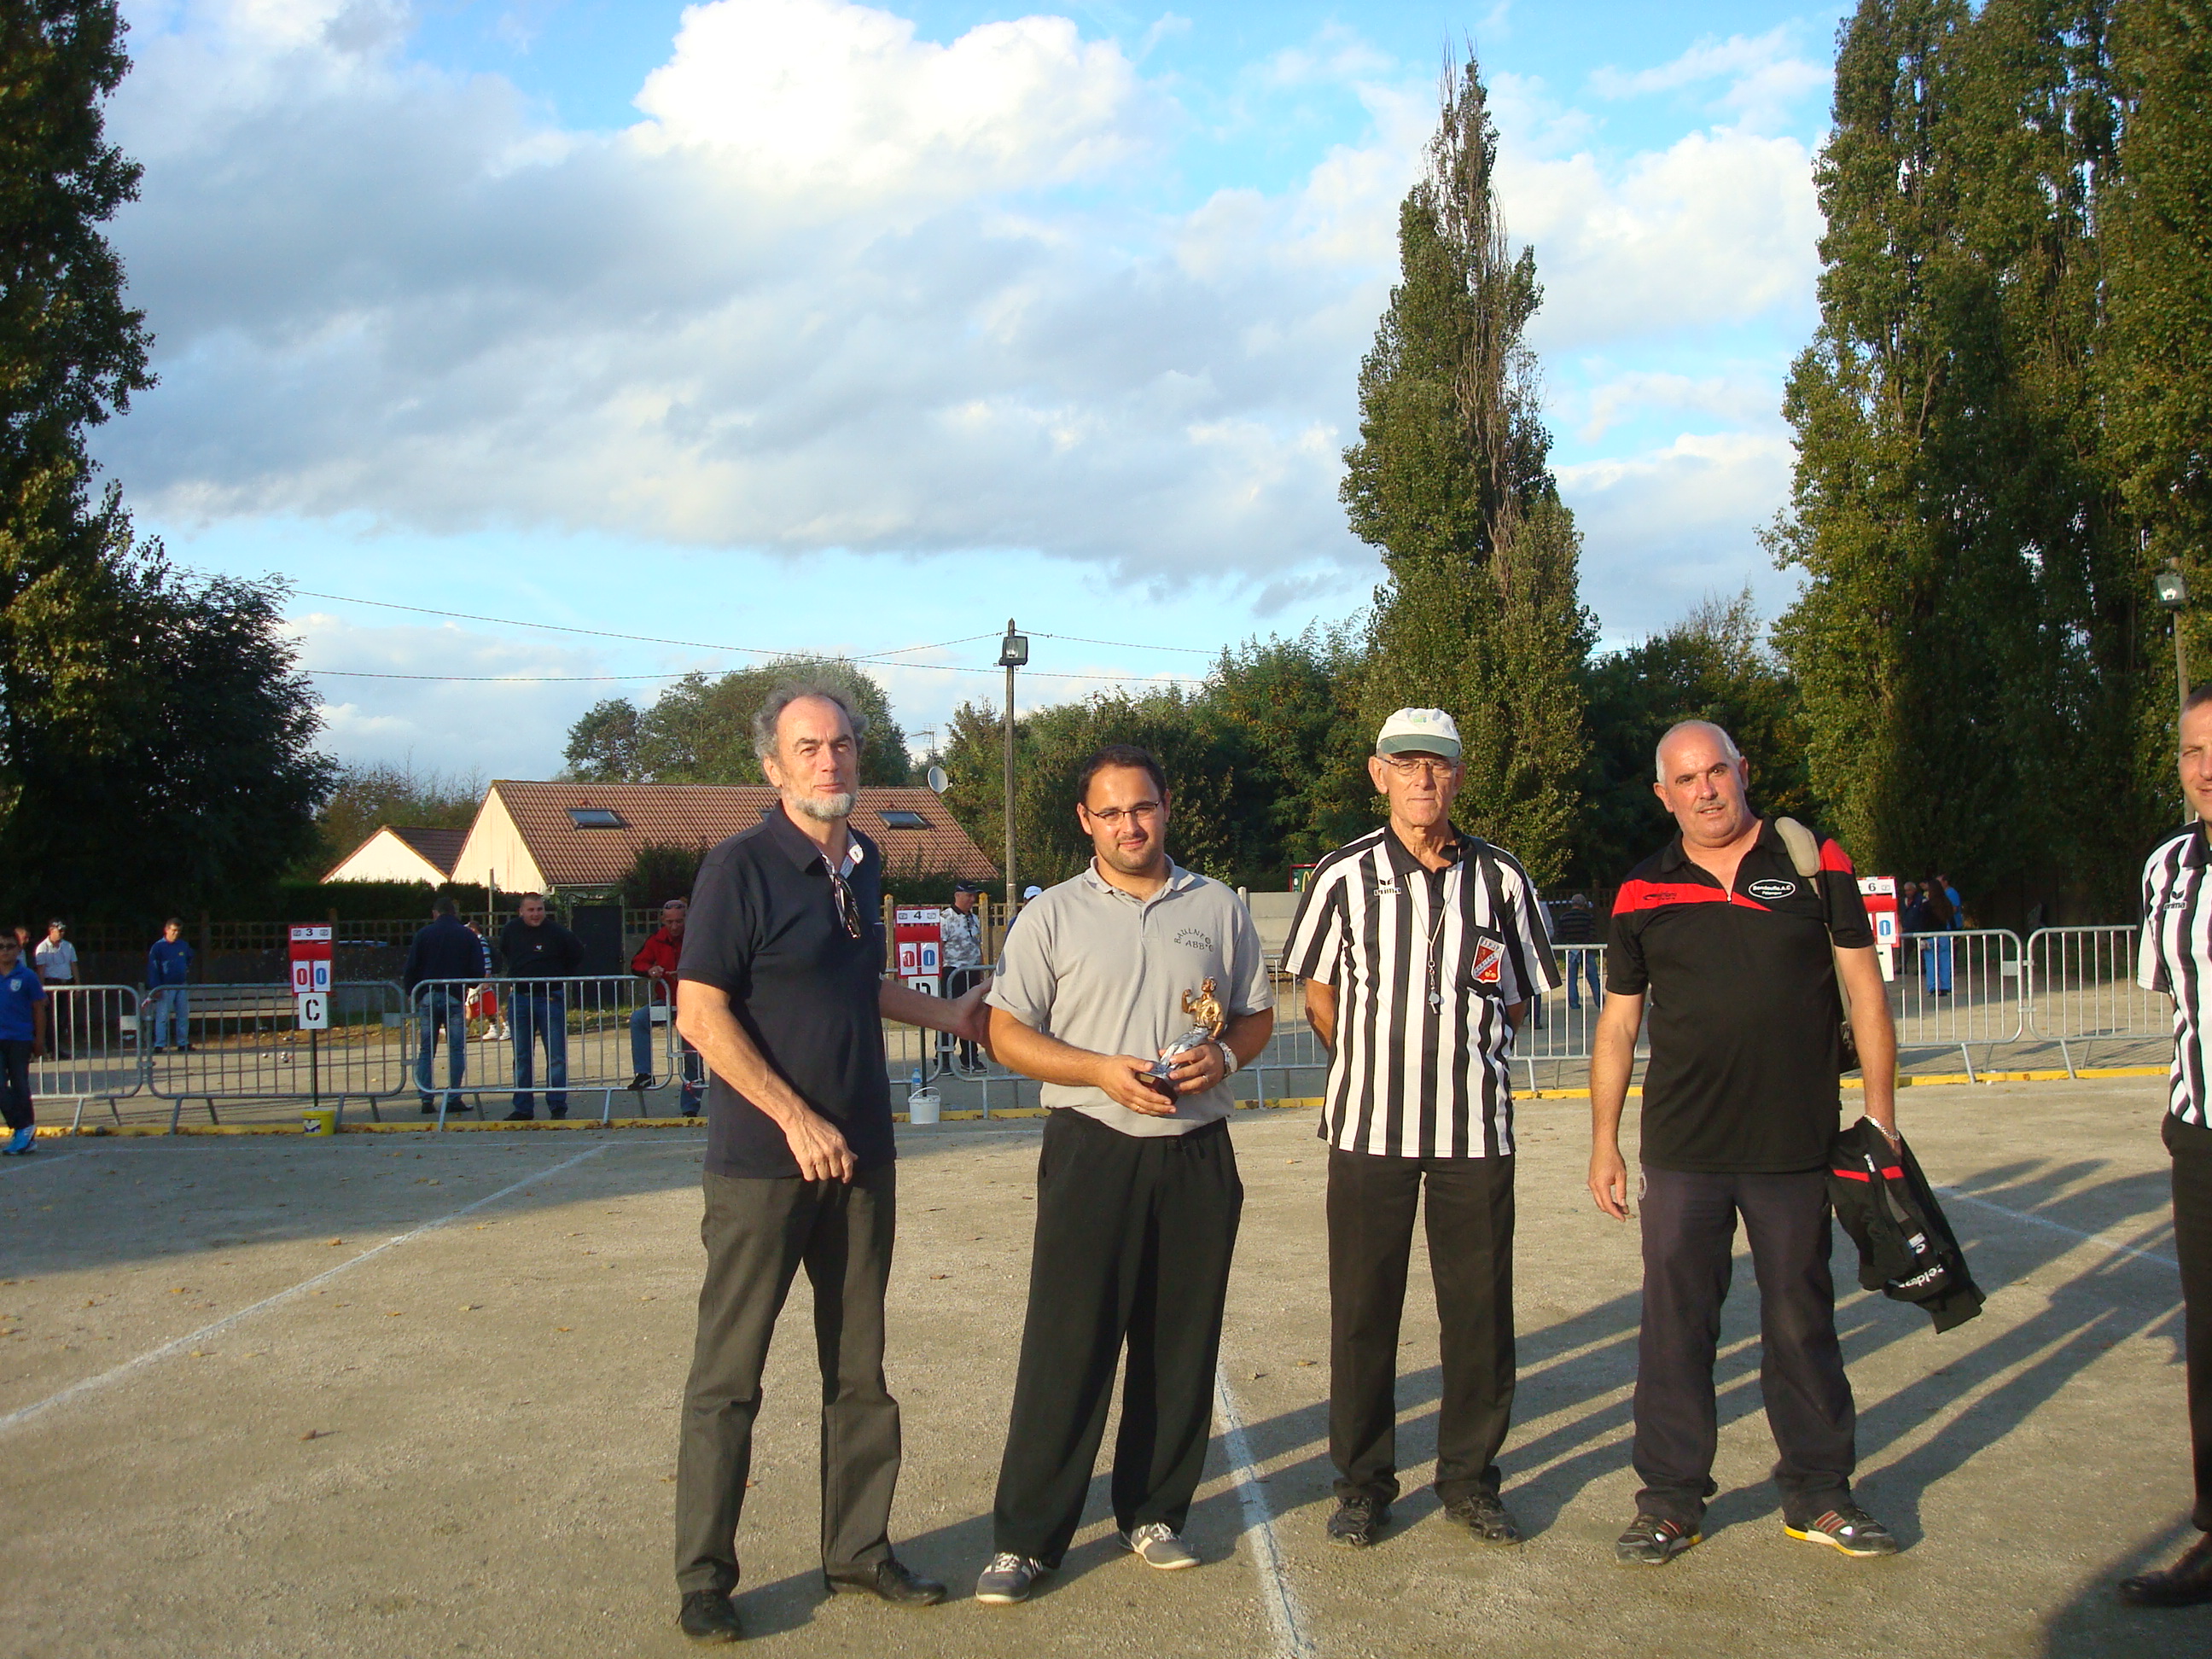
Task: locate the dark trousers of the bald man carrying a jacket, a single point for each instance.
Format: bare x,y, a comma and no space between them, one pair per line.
1689,1242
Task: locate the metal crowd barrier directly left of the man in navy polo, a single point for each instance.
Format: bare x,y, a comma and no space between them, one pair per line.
512,1025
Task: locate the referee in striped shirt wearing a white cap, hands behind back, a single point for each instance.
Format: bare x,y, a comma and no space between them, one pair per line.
1419,948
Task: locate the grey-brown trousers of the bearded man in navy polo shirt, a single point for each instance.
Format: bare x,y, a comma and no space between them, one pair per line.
758,1235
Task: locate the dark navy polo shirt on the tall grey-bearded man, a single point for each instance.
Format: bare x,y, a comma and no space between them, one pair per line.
764,926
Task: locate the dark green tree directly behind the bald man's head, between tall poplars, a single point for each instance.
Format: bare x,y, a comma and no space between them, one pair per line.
1709,667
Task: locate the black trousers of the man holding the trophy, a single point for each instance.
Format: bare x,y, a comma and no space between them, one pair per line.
1134,1244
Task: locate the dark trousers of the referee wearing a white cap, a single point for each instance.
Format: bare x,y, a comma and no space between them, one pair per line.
1470,1218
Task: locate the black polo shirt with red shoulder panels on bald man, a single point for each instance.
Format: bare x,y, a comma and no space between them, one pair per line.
1742,1005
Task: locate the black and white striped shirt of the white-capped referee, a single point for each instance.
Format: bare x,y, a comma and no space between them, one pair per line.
1426,966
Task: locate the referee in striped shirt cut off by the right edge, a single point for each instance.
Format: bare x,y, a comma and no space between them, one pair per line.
2178,959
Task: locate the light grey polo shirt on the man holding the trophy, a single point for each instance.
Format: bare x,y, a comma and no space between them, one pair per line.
1107,972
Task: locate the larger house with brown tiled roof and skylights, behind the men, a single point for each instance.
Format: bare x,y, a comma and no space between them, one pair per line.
583,837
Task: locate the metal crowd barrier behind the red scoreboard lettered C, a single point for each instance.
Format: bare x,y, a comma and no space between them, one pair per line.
242,1043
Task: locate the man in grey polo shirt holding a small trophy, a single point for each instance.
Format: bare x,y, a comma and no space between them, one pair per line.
1138,1191
